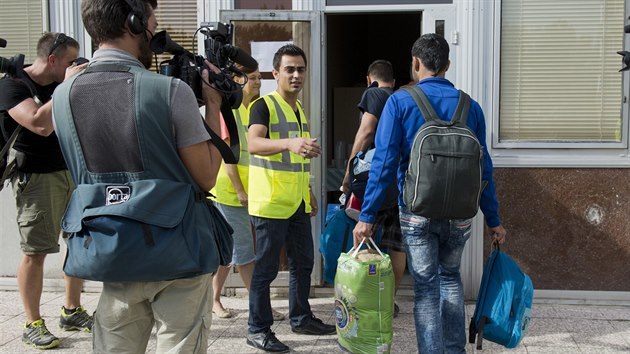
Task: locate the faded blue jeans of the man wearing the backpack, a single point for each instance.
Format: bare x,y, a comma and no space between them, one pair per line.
434,254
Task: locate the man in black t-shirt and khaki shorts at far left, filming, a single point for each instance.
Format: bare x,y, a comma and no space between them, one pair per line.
41,182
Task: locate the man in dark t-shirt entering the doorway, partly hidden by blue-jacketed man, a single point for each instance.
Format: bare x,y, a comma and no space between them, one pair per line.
380,81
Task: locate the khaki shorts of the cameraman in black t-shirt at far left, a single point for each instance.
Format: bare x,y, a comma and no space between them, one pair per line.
41,200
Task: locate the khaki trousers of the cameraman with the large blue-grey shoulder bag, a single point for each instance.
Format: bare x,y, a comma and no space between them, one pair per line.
181,309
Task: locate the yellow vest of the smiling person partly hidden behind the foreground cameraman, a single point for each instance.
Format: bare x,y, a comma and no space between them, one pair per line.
223,190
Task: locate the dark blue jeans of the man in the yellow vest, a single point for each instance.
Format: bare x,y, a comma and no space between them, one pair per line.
271,236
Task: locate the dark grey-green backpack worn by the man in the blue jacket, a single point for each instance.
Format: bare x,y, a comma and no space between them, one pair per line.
444,178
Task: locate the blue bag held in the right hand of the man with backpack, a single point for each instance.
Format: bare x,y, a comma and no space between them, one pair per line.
504,302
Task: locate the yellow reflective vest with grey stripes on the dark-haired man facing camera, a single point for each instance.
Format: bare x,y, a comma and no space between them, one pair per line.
279,183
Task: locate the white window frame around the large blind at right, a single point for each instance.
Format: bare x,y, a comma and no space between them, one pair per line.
548,153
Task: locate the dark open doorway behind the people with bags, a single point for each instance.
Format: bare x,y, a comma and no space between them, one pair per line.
353,42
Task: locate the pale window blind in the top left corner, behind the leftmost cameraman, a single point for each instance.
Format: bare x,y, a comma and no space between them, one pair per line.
21,24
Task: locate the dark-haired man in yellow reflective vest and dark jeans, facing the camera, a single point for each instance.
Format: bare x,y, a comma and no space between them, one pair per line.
281,200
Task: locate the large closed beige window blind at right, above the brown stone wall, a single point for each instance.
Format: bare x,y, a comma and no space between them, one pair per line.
559,70
